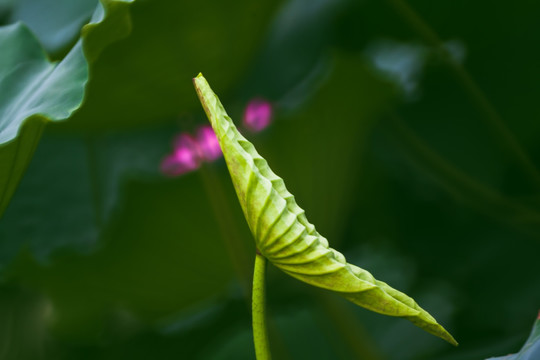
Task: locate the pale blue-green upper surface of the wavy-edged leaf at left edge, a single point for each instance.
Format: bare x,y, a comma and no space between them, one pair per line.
32,85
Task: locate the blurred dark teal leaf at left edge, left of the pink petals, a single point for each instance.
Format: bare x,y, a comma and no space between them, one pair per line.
84,197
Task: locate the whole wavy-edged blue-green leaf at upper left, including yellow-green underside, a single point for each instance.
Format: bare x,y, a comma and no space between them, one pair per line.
34,91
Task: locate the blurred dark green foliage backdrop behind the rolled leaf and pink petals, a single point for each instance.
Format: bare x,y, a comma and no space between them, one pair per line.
406,129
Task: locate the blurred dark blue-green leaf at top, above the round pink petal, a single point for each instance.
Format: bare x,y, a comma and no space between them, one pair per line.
287,65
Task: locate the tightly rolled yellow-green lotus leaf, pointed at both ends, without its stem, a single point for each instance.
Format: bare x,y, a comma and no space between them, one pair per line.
286,238
